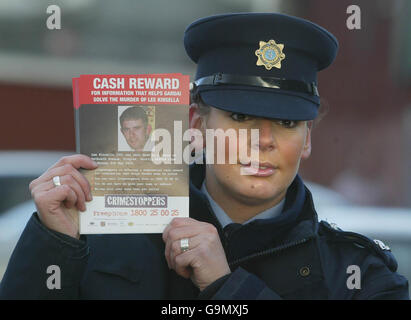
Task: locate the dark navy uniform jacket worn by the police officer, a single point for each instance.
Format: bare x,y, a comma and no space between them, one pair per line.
292,256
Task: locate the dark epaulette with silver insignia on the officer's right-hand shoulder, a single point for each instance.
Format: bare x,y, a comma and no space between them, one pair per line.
358,241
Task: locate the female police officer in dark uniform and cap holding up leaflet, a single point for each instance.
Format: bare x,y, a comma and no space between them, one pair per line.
248,236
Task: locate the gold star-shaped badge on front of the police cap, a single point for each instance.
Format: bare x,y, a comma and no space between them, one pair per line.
270,54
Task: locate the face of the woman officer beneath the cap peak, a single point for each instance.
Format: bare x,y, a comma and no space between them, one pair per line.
282,144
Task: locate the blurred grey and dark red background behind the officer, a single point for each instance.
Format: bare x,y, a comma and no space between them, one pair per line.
360,167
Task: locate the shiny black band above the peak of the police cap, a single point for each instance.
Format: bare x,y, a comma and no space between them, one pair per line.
264,82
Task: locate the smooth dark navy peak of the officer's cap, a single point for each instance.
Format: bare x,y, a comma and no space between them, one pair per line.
273,104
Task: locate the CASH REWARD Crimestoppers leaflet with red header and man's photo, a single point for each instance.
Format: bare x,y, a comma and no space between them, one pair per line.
122,123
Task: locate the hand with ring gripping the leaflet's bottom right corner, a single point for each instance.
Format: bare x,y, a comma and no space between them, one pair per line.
204,261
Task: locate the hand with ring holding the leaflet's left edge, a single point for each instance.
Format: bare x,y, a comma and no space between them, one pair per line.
58,205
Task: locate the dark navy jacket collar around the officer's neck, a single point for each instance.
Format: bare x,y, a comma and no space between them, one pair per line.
297,221
